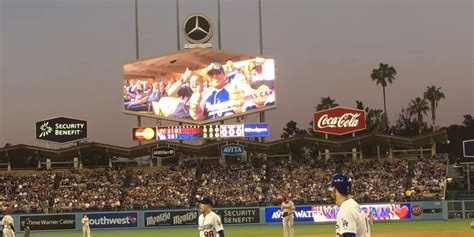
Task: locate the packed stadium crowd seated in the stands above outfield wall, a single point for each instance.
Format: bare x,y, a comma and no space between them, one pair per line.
259,182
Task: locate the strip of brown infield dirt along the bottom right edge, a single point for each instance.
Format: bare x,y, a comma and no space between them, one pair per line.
420,233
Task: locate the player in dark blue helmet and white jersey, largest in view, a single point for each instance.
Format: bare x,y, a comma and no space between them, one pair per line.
350,220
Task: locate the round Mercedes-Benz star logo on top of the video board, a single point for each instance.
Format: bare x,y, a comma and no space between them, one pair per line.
197,29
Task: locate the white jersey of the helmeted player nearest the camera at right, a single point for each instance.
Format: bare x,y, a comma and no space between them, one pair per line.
350,219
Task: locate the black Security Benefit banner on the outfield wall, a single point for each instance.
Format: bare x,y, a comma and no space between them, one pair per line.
239,216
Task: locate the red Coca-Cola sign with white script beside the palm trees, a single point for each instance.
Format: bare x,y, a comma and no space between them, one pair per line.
339,121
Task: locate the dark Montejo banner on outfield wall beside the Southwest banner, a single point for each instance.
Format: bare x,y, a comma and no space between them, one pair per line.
171,218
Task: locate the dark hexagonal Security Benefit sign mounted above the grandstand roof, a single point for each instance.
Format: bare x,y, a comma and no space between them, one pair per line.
61,130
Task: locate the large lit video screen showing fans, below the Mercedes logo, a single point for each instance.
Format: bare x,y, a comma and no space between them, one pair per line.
217,90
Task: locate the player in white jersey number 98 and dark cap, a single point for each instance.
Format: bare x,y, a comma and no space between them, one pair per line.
210,224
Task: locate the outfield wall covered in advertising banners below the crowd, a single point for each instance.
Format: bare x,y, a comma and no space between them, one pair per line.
165,218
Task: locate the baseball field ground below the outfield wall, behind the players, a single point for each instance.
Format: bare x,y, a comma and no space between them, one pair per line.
455,228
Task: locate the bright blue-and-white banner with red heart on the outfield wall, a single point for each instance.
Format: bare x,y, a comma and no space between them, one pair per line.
328,213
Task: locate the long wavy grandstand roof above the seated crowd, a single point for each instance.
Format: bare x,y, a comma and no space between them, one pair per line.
211,148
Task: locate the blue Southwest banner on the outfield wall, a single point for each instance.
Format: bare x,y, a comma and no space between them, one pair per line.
113,220
